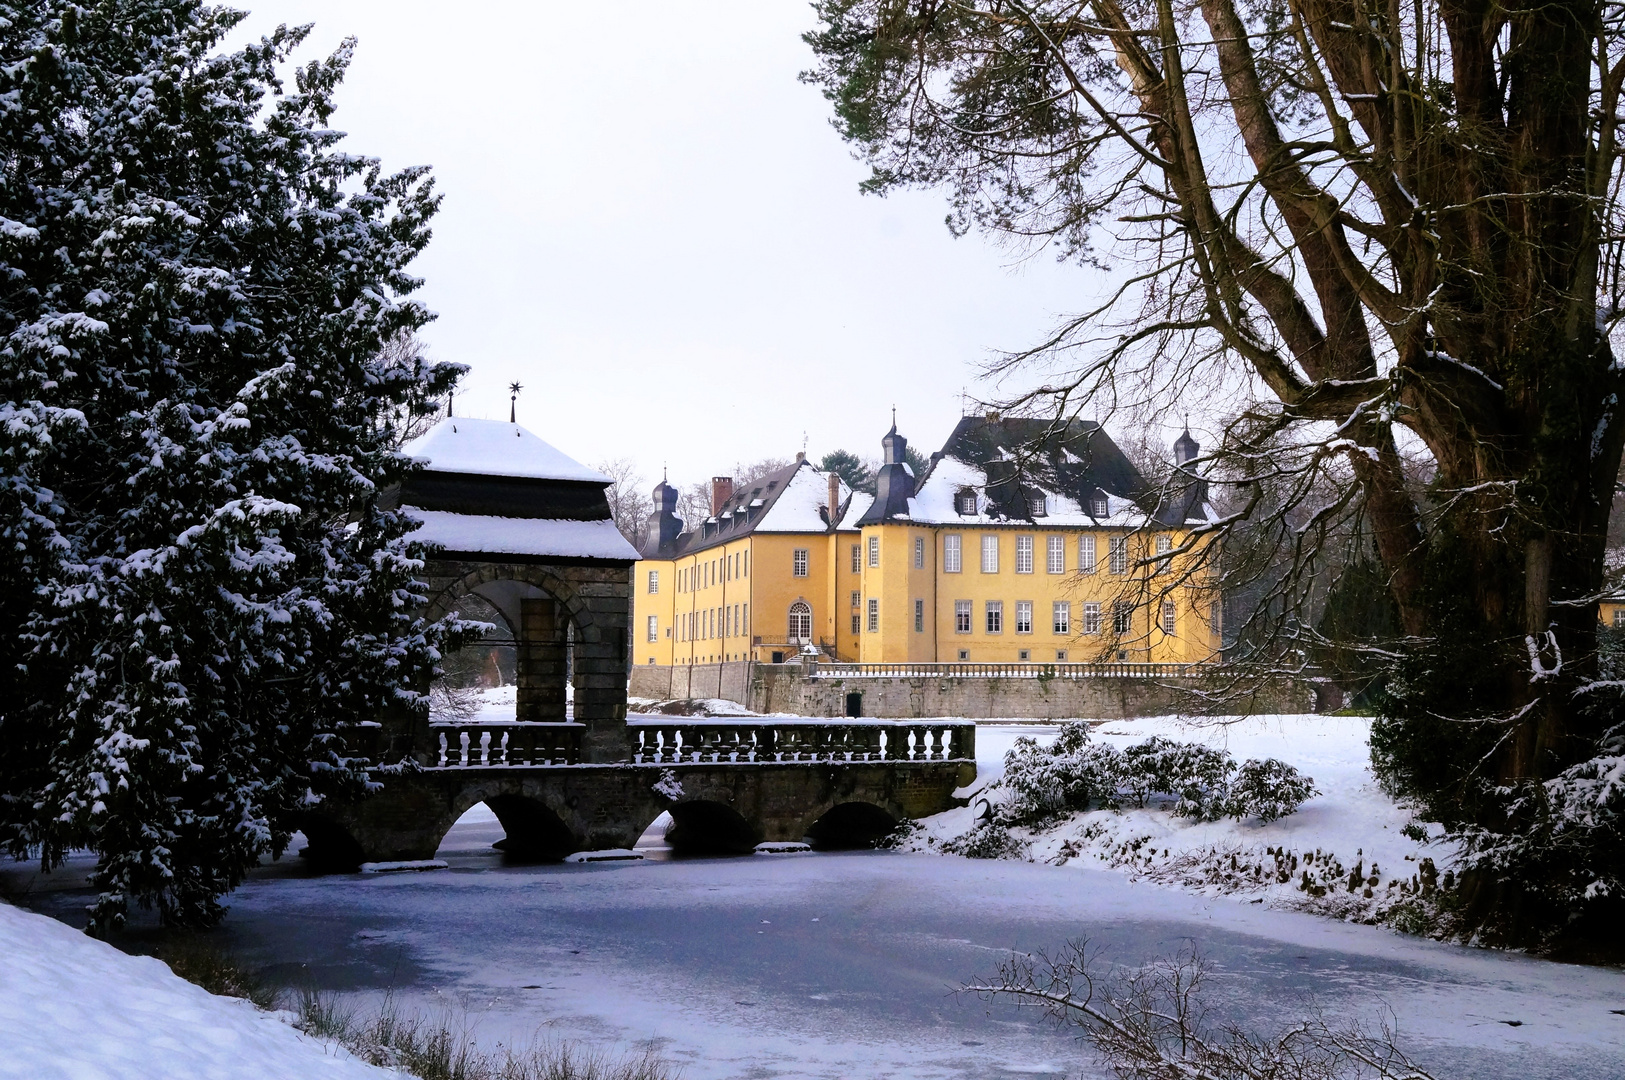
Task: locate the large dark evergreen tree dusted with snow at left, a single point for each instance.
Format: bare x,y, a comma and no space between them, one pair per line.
199,590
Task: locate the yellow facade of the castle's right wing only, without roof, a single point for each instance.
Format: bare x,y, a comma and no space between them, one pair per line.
1010,602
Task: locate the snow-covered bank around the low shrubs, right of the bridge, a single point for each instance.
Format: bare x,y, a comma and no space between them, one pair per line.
1350,824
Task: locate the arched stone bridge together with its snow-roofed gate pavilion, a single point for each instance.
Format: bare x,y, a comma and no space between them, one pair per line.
521,537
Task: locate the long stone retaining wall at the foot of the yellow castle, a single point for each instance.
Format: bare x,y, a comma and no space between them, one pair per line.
787,689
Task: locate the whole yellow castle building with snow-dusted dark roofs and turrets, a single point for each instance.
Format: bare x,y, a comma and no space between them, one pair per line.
1023,543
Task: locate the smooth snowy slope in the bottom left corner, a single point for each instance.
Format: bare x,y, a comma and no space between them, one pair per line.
80,1009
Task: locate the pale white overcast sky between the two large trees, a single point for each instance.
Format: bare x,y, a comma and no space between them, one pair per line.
654,228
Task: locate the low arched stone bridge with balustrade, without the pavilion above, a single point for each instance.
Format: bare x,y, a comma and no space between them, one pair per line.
729,787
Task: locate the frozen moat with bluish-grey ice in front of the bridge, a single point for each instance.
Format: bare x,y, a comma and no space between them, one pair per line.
843,966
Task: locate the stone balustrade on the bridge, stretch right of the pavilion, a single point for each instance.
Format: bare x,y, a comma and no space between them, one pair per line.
674,740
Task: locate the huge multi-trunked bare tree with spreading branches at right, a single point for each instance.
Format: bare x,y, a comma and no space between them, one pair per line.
1377,228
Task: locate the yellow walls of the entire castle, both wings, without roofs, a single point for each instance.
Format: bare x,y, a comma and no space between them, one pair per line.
888,595
